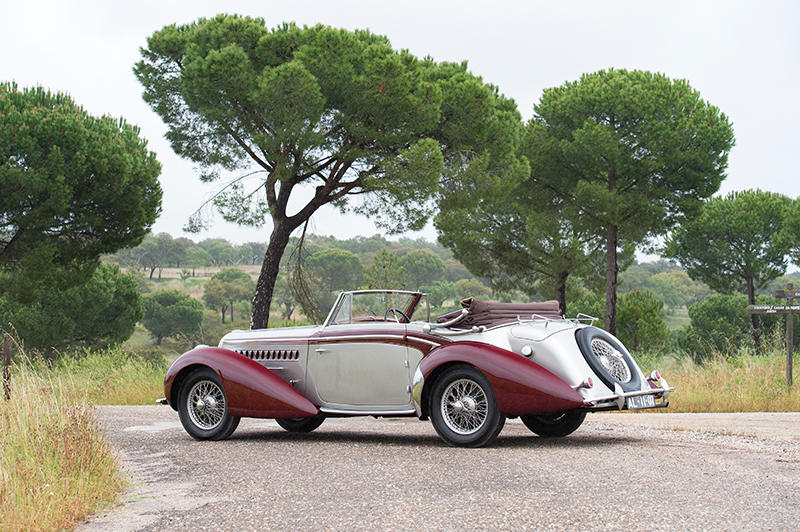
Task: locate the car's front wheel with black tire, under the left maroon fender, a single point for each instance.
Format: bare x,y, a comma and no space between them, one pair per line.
203,407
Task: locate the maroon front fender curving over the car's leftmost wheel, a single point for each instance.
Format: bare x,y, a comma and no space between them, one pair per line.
251,389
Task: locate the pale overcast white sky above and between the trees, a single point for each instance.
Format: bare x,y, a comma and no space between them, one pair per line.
743,57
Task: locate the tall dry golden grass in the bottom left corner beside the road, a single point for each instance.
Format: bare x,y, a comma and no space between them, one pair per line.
55,466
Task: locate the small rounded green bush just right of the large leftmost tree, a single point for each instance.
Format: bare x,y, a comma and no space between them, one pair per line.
171,313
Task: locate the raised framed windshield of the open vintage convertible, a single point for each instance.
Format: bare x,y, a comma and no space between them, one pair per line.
375,306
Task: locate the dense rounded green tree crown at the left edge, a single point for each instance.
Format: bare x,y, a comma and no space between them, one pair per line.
73,187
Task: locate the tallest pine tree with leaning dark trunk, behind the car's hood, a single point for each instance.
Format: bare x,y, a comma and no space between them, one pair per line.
339,110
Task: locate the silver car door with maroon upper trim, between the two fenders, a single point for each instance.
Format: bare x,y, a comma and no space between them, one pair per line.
361,367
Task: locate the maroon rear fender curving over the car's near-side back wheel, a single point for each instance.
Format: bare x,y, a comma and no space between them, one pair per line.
520,386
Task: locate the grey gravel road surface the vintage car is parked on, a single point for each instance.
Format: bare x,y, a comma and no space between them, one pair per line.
362,473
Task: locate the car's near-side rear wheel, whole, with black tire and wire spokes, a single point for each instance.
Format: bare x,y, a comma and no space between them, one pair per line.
463,408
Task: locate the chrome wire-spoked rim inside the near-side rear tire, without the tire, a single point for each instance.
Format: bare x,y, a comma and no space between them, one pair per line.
464,406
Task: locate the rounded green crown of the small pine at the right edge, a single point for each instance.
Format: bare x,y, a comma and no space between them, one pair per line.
738,243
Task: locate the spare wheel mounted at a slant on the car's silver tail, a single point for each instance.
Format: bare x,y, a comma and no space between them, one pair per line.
608,358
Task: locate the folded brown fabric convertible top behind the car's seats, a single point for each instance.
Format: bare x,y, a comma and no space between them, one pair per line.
491,313
